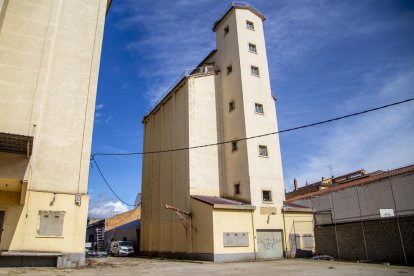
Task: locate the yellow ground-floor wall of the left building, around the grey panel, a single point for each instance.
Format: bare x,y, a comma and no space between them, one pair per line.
21,222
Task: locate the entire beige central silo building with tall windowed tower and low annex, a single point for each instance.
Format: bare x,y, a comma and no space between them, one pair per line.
197,112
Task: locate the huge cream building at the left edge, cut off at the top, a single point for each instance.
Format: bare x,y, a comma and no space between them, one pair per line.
49,63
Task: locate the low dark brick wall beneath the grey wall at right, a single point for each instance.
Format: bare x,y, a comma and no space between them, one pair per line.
381,236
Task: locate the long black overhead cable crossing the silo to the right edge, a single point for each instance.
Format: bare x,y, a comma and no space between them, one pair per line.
258,136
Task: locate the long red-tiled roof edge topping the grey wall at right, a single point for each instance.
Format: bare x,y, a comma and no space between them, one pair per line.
362,181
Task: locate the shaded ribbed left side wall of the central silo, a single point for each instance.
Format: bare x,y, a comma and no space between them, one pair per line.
165,176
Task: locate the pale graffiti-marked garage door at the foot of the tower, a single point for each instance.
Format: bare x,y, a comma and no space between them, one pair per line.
269,244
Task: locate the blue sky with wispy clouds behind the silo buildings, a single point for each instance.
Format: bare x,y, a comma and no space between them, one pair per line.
326,59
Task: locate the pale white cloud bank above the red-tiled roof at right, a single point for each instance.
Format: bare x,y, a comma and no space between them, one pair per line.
379,140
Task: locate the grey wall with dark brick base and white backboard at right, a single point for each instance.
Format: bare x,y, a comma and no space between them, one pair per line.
367,222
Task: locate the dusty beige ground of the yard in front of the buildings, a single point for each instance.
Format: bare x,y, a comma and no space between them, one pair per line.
142,266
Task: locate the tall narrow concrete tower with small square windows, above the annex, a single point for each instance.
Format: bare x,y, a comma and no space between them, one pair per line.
247,110
